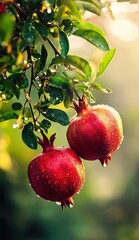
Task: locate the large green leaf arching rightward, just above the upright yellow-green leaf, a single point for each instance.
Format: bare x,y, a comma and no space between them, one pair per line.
94,38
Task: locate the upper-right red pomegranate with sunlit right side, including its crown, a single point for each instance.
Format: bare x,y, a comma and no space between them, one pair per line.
95,132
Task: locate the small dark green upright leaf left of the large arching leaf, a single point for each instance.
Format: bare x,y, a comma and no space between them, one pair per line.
64,43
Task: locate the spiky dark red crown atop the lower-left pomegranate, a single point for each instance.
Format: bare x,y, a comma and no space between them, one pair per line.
46,143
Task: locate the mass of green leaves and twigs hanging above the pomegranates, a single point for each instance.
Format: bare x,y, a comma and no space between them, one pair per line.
35,61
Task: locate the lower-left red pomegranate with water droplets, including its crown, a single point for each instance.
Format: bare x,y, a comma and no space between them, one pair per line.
57,173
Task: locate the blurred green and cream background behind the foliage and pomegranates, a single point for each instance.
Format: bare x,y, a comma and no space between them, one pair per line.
107,207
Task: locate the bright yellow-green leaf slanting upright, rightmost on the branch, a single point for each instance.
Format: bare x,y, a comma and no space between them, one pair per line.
105,61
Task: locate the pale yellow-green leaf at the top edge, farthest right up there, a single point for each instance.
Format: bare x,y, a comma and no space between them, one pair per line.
88,6
